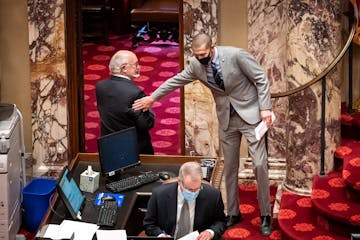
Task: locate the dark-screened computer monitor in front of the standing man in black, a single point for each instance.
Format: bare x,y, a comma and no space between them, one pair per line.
118,151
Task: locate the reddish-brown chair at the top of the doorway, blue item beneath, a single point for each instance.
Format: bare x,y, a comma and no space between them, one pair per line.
154,20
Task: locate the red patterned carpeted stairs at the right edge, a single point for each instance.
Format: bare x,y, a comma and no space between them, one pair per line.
332,212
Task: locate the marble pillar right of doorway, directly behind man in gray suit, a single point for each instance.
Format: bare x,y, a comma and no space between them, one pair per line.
201,126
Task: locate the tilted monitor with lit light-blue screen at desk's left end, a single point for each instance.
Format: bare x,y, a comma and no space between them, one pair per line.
70,193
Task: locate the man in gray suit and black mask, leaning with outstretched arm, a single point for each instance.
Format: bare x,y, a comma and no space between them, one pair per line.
241,92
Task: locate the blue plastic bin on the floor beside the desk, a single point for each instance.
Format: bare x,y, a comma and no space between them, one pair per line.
36,197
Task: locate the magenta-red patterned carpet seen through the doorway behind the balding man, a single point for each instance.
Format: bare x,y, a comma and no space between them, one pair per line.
158,62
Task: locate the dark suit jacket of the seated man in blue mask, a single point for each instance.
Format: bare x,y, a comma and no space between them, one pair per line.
162,208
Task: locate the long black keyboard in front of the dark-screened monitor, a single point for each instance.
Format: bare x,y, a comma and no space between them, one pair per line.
132,182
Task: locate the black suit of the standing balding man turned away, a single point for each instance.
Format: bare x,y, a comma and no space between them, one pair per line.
115,97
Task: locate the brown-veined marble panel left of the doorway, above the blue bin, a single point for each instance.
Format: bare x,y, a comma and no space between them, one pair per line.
48,84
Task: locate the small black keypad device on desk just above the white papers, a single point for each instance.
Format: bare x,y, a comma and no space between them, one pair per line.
108,214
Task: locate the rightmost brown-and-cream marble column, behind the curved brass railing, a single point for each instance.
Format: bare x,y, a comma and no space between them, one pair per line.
314,40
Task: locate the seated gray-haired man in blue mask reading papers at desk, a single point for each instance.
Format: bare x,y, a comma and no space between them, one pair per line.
178,208
